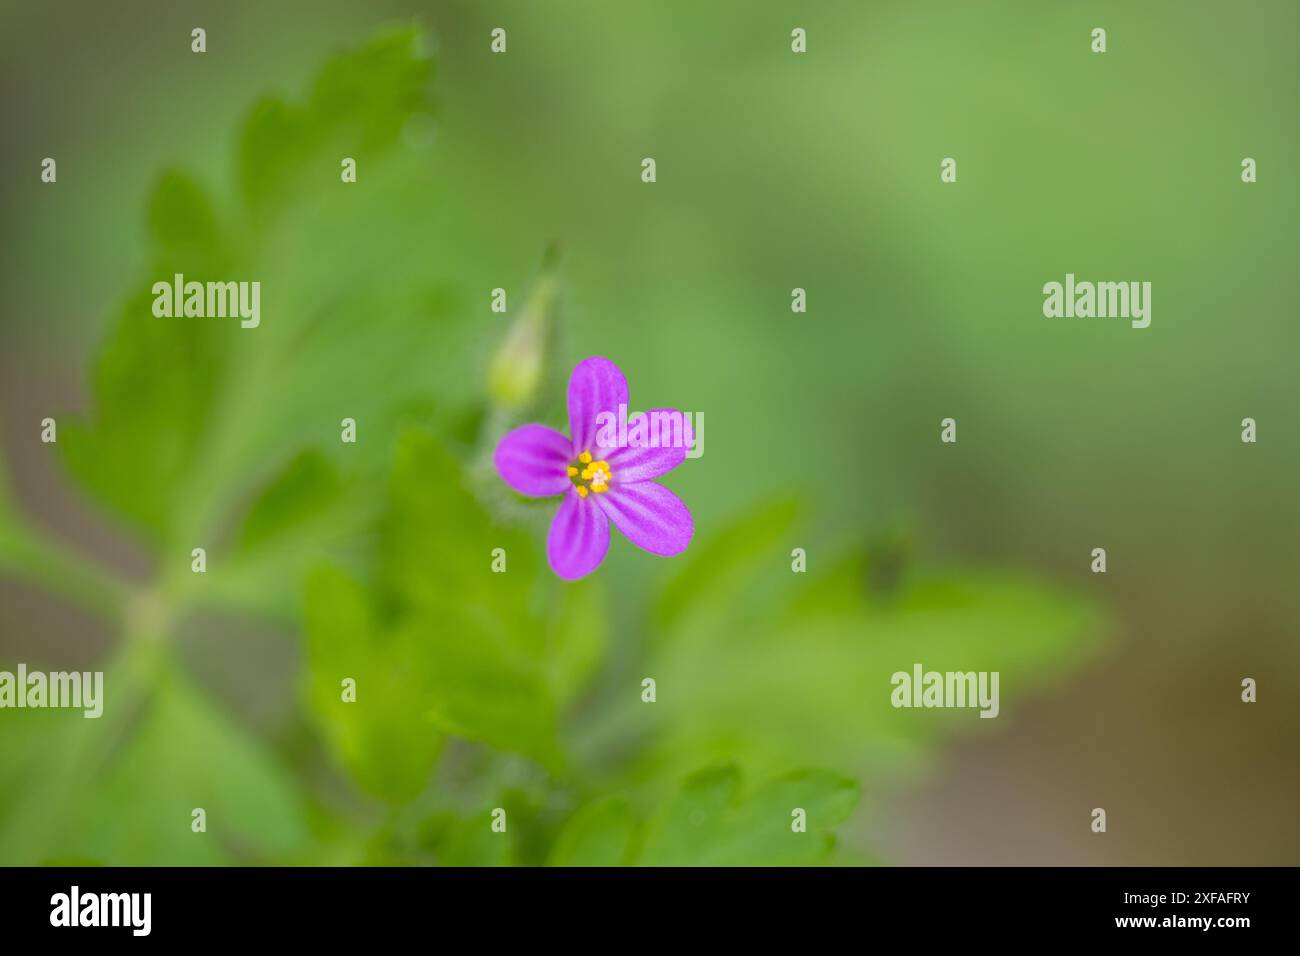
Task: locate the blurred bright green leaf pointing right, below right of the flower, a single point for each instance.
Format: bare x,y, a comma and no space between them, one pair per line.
817,686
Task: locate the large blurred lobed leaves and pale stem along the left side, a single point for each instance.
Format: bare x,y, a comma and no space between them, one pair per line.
207,435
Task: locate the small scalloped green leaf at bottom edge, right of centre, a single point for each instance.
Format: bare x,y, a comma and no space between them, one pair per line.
713,824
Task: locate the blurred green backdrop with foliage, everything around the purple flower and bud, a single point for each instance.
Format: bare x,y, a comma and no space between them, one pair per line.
480,691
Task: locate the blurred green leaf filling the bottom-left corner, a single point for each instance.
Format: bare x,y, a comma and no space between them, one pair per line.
77,788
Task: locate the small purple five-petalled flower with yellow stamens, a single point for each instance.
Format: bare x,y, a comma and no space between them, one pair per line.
604,473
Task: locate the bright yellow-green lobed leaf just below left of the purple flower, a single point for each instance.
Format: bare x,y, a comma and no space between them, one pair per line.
457,648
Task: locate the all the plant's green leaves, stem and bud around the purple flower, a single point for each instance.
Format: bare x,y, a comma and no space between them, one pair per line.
474,689
